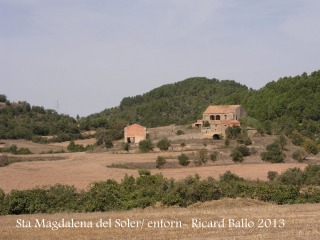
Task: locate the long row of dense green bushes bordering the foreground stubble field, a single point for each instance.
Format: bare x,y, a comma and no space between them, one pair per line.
293,186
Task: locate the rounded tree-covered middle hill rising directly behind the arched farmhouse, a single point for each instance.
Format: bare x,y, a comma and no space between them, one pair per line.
178,103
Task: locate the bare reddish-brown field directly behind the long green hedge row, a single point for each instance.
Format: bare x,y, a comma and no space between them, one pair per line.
81,169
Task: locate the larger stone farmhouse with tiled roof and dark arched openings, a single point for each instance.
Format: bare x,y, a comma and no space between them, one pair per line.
217,118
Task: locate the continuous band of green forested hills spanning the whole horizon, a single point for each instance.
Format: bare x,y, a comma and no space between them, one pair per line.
282,106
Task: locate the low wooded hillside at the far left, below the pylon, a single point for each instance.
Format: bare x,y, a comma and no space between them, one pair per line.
22,121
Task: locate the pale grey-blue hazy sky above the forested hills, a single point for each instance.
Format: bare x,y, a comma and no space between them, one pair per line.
89,54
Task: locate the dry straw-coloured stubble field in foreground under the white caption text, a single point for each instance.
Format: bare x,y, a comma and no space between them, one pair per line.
239,219
